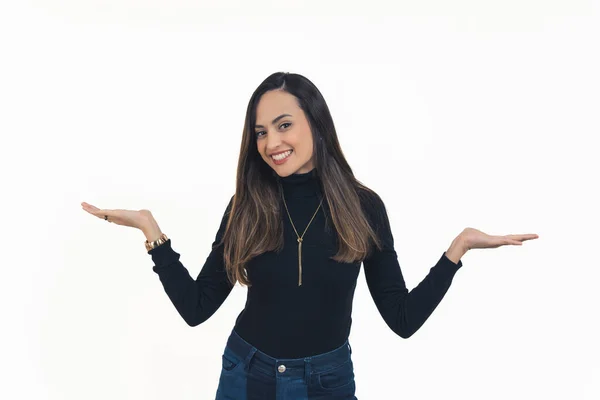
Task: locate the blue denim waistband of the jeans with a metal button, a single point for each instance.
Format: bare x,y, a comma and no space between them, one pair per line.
256,359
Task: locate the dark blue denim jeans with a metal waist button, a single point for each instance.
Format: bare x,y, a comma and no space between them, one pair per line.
249,374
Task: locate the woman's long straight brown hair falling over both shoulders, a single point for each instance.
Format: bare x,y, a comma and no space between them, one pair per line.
254,225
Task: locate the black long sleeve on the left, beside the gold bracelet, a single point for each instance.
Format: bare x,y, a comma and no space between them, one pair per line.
195,300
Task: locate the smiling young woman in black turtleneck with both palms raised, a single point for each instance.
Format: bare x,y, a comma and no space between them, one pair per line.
296,232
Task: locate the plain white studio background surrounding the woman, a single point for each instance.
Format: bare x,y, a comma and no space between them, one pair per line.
462,113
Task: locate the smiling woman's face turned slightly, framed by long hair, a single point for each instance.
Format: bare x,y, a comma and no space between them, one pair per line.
277,134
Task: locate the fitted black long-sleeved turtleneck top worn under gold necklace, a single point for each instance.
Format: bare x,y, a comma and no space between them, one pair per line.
285,320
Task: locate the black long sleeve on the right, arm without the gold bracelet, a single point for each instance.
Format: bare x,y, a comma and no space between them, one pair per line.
403,311
